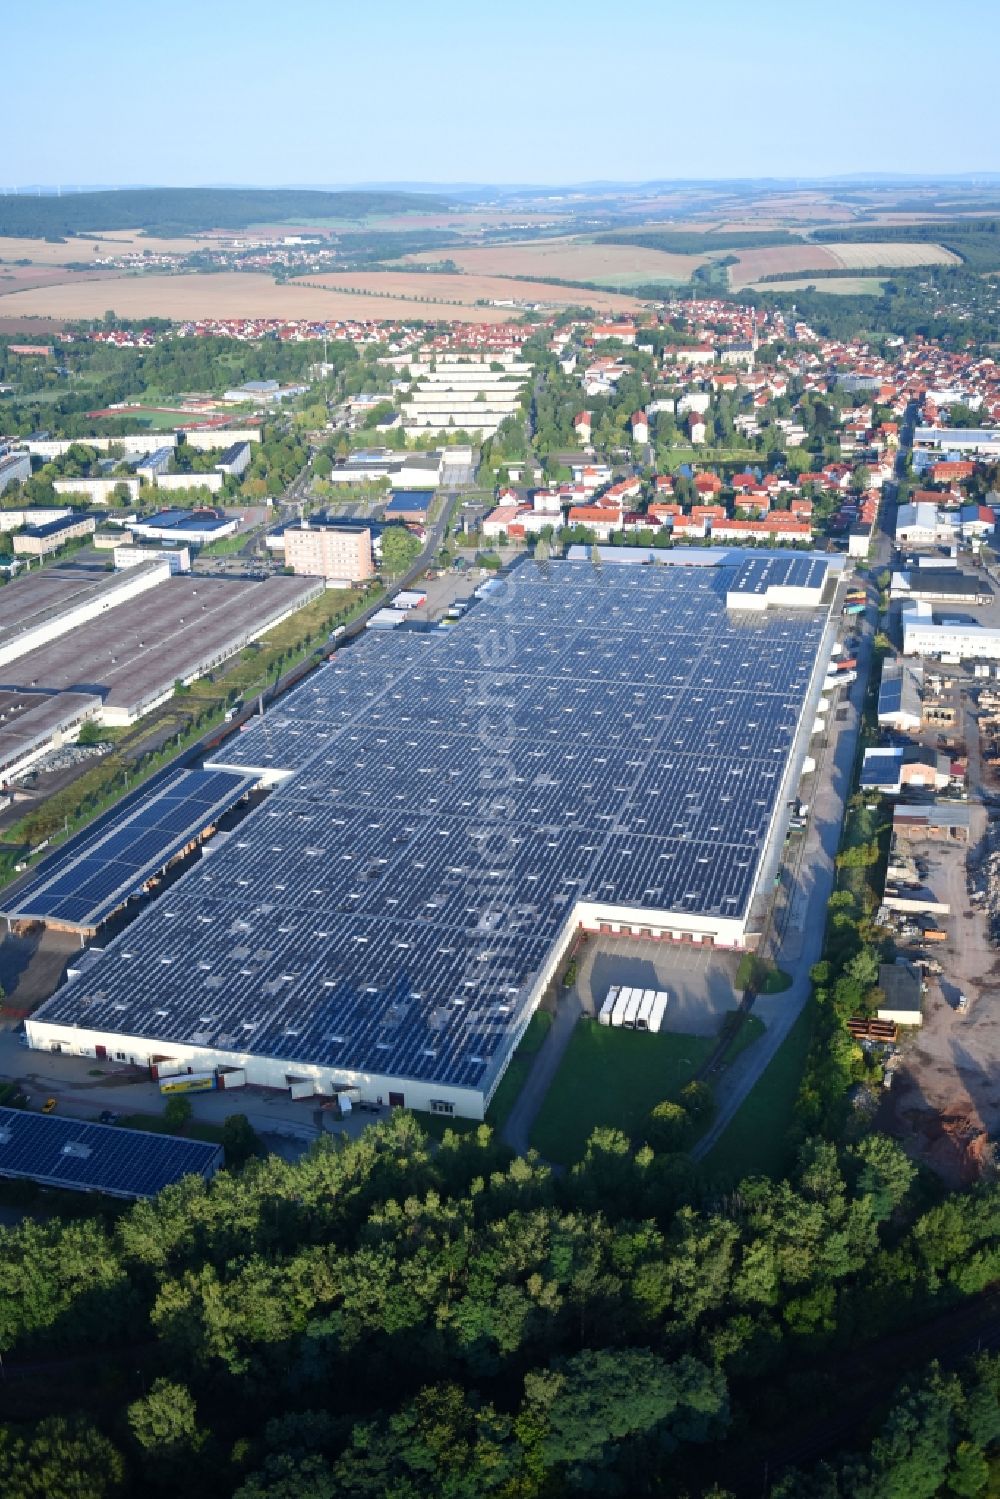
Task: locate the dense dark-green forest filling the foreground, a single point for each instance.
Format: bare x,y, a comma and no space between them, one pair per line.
395,1318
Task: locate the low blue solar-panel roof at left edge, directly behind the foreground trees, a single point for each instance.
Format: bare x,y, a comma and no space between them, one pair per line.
98,1158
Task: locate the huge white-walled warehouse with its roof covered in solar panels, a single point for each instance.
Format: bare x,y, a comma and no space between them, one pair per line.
590,747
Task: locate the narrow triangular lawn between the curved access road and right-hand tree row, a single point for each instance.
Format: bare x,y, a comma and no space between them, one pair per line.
756,1141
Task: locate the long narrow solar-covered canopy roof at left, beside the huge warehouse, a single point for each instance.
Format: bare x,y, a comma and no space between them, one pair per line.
97,872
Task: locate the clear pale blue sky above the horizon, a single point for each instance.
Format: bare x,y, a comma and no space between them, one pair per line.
314,92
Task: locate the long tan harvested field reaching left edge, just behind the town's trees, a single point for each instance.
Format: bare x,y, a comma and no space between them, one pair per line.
239,295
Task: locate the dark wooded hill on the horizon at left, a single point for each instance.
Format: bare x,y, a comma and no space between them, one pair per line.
193,211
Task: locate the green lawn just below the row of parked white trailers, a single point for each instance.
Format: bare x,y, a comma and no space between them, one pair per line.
612,1079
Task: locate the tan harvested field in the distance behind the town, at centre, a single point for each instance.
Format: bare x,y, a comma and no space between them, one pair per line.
570,260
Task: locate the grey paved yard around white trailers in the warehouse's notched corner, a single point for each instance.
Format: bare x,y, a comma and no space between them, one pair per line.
701,984
